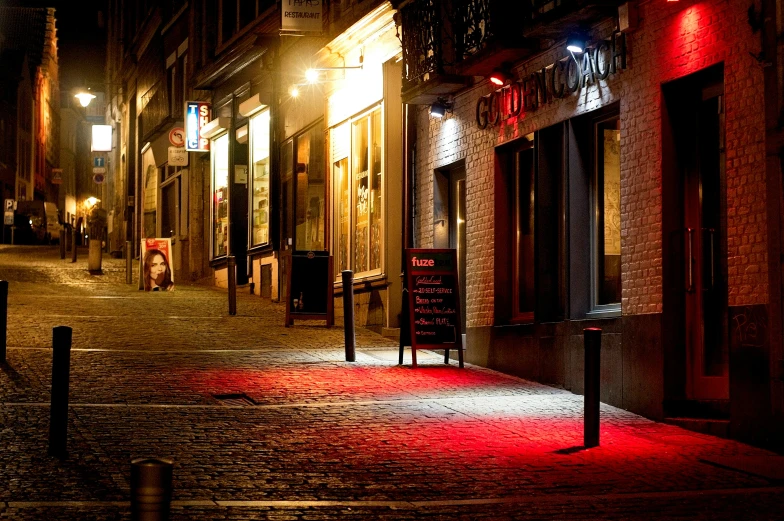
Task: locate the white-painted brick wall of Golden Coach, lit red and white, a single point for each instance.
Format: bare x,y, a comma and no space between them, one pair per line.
673,40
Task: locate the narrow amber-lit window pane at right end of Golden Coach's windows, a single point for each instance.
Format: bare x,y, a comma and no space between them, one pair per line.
607,226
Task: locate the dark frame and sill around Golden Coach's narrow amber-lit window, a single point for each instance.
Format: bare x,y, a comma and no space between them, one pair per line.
612,309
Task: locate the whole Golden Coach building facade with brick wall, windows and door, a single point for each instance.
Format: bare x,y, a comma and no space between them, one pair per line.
619,184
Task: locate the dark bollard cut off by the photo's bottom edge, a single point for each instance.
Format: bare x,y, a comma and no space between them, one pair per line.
151,489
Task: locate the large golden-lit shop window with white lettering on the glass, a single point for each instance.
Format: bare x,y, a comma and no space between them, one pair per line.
357,178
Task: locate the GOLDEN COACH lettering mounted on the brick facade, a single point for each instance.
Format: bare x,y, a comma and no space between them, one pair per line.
556,81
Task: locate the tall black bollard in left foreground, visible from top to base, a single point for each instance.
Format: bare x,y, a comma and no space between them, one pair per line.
58,413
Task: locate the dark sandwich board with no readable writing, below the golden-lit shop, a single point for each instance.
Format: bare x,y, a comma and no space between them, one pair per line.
309,284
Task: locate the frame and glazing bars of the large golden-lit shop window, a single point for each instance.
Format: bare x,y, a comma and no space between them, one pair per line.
352,199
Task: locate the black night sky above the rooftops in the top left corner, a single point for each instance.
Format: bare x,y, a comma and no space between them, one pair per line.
81,38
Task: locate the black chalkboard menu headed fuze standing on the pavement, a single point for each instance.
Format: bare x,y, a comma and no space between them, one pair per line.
434,301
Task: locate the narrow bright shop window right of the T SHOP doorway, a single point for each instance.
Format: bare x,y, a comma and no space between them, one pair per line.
260,179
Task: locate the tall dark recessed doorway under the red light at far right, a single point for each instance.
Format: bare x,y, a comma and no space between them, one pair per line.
695,204
